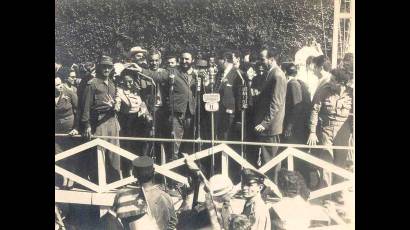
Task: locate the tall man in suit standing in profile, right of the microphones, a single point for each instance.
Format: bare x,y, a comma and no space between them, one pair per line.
269,105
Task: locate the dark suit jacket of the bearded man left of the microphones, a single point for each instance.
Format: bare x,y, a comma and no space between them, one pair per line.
184,89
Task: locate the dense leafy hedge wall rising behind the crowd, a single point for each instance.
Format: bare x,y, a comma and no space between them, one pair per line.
87,28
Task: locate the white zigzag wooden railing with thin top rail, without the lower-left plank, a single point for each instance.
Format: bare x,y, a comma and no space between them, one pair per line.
225,150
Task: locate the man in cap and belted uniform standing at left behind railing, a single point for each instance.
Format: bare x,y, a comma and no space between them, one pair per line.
98,116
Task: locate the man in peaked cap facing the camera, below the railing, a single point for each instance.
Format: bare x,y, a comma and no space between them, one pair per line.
255,208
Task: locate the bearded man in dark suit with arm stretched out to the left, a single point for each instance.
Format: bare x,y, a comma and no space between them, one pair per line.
182,82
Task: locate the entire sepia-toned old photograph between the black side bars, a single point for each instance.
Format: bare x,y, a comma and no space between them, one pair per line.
204,114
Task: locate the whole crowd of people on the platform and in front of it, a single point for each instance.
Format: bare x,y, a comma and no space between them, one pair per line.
300,102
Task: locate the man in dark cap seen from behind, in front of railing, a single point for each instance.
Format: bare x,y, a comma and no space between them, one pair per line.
160,203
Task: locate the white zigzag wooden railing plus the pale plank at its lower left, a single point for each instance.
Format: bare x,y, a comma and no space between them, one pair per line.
103,194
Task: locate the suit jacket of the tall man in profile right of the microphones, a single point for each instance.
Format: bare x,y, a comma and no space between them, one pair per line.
269,104
